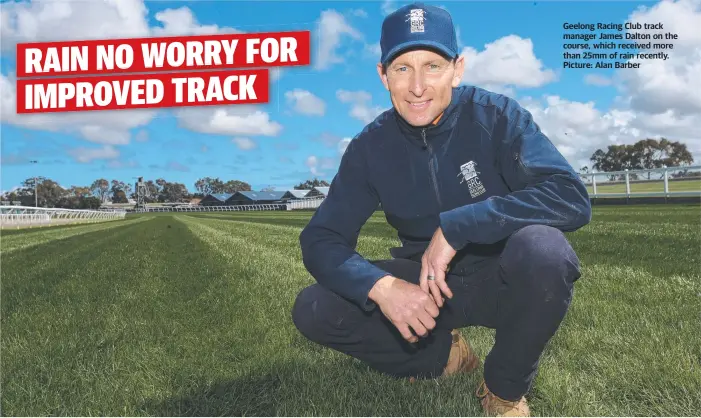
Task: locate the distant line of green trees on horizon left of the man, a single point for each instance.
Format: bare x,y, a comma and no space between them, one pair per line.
50,194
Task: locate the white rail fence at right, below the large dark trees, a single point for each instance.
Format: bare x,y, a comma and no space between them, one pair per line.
657,182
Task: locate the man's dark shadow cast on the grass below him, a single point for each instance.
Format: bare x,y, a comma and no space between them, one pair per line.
317,384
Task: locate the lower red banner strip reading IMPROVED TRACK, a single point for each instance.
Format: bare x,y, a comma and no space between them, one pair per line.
204,88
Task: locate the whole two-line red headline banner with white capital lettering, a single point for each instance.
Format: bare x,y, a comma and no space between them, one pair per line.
170,71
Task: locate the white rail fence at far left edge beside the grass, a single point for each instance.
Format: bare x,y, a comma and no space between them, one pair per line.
16,216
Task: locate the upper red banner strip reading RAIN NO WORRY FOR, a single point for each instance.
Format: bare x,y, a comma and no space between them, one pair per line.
267,49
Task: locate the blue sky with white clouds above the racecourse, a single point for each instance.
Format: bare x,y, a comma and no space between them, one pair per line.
294,145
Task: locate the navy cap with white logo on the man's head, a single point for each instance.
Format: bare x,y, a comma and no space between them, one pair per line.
418,25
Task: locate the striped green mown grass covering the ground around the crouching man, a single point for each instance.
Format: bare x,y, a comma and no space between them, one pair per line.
189,314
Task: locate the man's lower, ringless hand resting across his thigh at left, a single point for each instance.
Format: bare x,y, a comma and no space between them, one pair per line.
405,305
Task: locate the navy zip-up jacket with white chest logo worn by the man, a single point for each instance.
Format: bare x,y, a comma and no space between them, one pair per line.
481,173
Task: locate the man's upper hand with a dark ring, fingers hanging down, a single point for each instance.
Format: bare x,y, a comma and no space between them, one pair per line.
435,263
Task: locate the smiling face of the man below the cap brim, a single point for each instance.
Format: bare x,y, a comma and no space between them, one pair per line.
420,84
